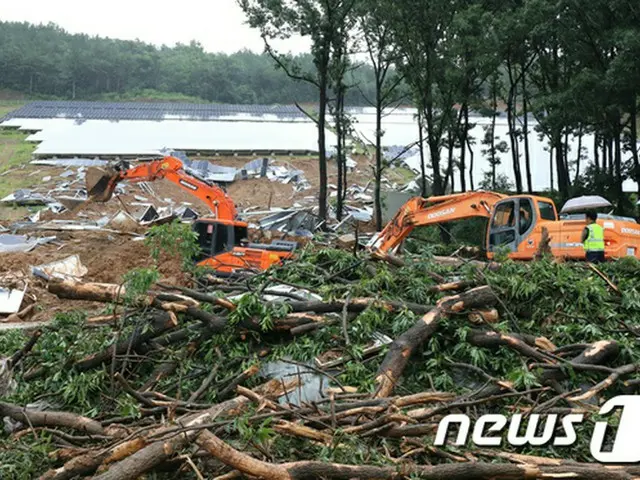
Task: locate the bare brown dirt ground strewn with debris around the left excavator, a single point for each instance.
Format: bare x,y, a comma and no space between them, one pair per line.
108,256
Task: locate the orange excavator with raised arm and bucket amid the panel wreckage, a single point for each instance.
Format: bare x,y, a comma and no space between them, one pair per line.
222,236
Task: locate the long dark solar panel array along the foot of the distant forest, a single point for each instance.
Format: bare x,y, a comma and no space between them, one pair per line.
148,110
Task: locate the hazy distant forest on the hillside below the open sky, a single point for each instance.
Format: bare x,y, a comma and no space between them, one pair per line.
45,61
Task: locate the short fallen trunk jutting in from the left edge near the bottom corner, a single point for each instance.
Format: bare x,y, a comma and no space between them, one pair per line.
35,418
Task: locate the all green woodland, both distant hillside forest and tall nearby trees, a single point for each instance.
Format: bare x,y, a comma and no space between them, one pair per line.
555,69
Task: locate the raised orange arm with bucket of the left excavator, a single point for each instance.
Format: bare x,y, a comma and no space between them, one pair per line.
101,183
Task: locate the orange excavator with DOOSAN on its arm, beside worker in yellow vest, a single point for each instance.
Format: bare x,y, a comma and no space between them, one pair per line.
516,224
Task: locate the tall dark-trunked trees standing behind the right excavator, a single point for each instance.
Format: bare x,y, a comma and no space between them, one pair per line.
575,70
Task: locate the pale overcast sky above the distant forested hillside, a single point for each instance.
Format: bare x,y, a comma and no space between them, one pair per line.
217,24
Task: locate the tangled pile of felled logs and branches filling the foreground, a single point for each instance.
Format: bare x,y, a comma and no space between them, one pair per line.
176,431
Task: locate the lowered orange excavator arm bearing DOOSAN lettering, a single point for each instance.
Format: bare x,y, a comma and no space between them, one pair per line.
418,212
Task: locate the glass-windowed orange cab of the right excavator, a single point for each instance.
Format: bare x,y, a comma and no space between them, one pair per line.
514,219
